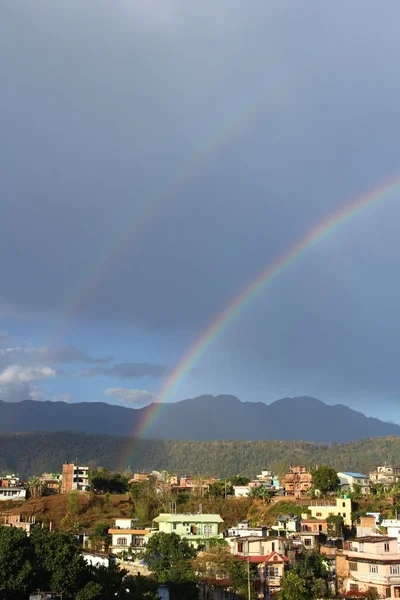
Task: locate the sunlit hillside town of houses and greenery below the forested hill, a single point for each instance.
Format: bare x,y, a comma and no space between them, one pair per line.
337,532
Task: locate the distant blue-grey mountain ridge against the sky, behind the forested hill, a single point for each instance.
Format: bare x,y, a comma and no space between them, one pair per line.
204,418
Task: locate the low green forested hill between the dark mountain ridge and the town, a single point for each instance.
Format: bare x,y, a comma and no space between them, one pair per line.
33,453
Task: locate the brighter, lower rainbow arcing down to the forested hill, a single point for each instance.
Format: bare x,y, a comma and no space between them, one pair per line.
248,294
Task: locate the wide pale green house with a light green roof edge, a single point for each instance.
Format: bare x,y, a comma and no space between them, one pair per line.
195,528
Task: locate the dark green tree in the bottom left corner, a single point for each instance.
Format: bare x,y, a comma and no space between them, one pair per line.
16,564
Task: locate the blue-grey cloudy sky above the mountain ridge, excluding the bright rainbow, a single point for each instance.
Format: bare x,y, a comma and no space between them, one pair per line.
156,156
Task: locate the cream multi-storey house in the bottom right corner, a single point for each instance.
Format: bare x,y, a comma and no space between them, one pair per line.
373,562
